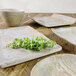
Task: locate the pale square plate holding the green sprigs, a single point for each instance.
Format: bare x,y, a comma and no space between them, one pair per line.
9,56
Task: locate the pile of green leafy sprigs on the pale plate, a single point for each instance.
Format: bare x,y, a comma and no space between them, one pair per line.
32,44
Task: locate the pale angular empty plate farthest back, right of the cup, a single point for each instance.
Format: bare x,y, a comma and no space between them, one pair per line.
55,20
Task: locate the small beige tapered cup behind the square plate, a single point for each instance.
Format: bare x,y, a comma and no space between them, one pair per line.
13,17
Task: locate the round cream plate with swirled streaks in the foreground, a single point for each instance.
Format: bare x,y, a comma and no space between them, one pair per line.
57,65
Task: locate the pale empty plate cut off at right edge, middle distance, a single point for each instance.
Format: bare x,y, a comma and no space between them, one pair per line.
68,34
